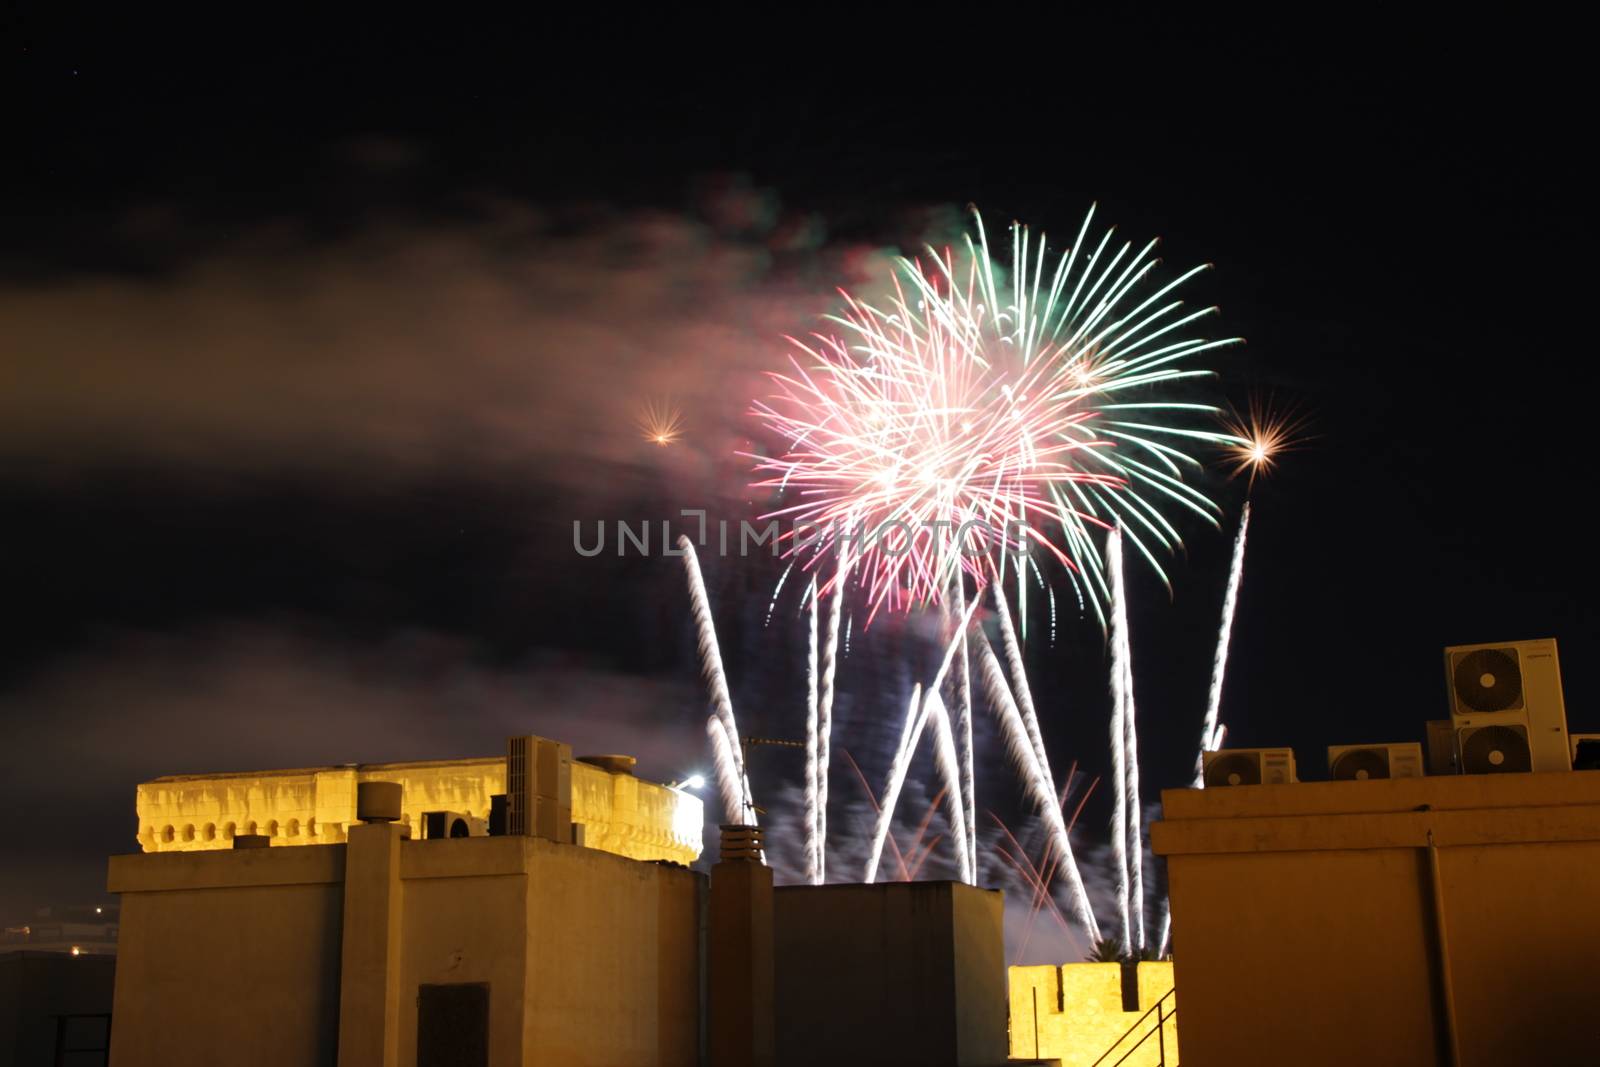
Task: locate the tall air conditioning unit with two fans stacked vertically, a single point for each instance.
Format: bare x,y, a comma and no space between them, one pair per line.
1506,708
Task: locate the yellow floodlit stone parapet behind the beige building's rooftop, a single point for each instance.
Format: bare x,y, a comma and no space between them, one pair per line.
620,813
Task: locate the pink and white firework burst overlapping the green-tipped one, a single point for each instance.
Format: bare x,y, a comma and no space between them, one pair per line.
914,457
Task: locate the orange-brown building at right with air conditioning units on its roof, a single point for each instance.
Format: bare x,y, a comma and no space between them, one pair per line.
1410,921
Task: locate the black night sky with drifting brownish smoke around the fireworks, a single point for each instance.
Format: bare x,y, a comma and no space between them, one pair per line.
314,342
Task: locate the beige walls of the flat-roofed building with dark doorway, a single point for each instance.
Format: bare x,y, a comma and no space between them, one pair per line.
234,957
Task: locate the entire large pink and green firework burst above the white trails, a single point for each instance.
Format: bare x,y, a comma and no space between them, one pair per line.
982,414
